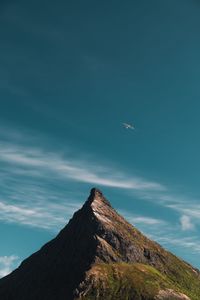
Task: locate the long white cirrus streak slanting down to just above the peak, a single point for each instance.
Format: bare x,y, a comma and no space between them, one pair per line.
77,171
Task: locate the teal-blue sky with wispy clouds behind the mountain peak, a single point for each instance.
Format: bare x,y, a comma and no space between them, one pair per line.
70,74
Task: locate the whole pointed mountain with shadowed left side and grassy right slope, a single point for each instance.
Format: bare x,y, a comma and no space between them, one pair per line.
99,255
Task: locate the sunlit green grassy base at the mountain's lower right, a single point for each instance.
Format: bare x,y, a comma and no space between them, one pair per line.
125,281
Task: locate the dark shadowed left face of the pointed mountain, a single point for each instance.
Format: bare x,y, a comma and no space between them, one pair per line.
57,268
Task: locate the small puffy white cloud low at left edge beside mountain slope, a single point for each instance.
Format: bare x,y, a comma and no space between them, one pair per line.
7,264
